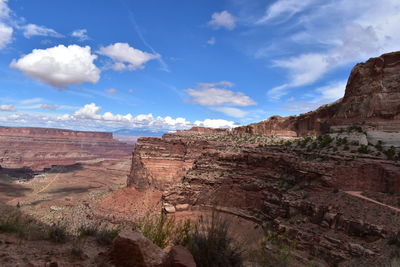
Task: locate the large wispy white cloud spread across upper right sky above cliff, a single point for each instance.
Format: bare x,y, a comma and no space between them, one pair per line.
372,22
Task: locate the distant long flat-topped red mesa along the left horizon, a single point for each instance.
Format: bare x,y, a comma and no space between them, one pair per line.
40,148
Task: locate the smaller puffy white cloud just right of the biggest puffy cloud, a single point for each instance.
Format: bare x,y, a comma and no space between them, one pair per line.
126,57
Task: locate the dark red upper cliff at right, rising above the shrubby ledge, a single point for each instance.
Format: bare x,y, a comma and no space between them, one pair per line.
371,100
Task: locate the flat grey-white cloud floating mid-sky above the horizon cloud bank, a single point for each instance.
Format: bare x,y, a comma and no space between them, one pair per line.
208,94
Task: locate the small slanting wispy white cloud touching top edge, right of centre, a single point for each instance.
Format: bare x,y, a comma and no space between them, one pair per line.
285,9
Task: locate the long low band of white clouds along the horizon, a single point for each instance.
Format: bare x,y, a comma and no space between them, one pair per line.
89,117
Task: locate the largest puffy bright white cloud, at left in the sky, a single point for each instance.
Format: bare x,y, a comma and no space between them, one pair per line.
60,66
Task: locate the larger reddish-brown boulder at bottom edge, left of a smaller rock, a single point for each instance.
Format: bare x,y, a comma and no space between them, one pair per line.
131,249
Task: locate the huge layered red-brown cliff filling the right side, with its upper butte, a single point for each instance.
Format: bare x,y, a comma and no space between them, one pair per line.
307,193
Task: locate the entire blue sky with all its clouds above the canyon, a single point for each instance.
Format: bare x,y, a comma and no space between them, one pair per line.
167,65
